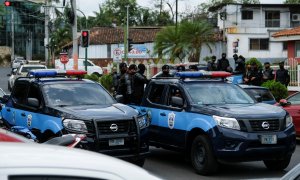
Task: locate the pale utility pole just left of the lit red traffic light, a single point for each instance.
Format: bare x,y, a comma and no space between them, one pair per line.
74,30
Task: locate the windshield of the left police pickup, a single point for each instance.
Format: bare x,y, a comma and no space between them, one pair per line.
76,94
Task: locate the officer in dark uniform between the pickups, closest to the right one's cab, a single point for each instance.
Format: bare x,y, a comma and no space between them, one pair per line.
139,81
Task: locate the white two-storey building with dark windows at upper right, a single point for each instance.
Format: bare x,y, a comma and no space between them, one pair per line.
248,29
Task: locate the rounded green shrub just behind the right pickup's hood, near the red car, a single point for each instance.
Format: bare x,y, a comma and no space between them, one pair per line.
277,89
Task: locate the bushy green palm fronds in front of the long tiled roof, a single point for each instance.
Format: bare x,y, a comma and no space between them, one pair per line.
185,41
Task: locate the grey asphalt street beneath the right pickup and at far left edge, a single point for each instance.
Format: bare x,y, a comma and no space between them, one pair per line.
172,165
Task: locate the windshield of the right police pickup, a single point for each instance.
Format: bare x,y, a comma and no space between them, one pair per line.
217,94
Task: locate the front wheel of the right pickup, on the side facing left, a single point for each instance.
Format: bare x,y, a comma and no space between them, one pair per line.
202,157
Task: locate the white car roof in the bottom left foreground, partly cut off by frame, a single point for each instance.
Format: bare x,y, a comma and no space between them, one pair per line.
23,161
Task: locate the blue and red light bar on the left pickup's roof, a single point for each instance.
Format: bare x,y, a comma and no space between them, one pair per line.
55,72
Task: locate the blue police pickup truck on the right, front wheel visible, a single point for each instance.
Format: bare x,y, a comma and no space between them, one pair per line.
212,120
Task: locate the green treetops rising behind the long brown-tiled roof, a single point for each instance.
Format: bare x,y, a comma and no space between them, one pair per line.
114,12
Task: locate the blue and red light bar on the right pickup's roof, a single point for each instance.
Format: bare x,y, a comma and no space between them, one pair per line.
199,74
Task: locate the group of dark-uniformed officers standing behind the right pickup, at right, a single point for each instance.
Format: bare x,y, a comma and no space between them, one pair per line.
252,74
